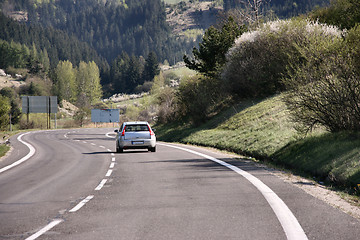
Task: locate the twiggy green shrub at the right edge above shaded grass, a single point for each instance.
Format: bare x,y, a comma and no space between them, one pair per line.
325,90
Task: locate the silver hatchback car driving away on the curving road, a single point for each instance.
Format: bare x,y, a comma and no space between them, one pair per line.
135,135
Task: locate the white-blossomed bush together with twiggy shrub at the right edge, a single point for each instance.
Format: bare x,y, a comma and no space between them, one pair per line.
316,63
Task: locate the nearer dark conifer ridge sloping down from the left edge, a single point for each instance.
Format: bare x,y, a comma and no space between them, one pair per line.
56,43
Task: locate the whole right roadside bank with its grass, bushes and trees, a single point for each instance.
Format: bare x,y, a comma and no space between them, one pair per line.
312,69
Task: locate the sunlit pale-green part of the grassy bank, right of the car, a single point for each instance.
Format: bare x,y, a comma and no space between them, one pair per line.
256,128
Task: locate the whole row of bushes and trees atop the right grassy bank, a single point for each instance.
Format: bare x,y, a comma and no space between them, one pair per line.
318,65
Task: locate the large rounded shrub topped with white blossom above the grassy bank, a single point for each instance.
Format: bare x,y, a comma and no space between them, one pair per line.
260,60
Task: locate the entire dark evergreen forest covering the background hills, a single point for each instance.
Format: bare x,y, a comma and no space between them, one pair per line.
121,37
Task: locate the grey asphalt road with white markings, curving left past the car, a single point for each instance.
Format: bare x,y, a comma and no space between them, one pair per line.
70,184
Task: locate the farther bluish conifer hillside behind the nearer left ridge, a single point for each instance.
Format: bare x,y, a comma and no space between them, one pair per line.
111,27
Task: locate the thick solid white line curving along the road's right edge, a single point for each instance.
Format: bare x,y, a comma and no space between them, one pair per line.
288,221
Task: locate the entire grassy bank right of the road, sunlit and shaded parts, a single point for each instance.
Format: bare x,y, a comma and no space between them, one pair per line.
262,129
